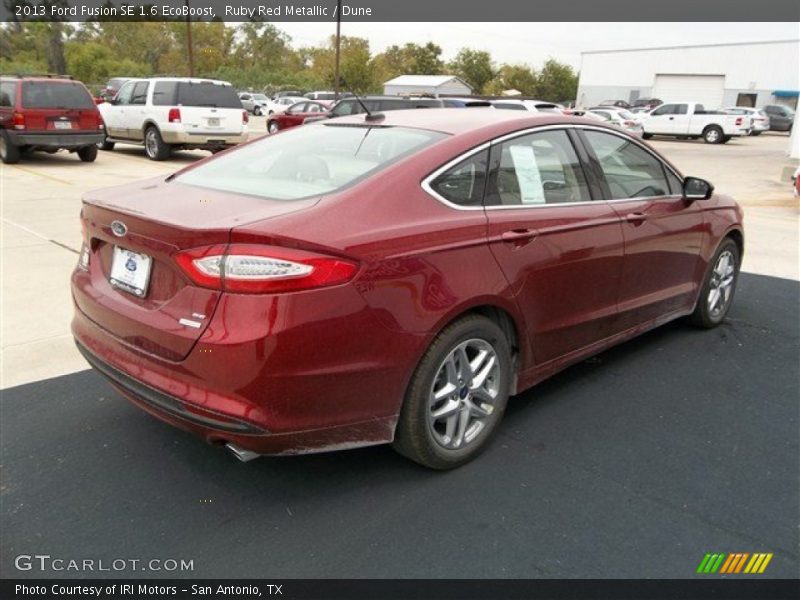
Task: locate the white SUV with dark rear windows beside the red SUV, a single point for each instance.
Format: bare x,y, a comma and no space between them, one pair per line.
174,112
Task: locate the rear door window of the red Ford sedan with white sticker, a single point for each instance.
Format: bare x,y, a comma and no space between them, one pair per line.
536,169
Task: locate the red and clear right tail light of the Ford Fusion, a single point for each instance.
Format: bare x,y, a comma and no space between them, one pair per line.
257,269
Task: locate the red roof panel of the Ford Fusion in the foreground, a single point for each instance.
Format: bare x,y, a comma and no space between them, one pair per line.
458,120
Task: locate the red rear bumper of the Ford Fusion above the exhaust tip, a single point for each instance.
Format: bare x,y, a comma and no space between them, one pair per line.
269,389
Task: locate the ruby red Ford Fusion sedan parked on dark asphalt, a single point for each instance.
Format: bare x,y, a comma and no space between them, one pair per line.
357,282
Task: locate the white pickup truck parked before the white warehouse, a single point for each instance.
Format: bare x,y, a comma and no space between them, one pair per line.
689,120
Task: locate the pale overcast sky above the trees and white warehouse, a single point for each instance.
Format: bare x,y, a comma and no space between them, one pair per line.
534,43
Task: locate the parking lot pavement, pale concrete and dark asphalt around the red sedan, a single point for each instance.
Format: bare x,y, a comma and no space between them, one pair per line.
632,464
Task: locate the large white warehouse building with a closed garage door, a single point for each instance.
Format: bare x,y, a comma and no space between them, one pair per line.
738,74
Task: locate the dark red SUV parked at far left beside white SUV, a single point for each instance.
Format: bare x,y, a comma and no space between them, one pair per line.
49,114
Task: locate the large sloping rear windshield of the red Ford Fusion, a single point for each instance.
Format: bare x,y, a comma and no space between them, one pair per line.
310,160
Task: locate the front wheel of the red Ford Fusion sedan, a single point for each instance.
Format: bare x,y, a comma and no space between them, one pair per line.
719,286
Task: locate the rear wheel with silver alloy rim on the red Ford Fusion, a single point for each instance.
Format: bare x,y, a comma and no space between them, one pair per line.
457,395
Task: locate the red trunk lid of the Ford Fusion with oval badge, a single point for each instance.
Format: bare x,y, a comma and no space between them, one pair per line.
159,220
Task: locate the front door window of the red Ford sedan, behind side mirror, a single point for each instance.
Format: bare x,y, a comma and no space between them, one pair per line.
631,171
